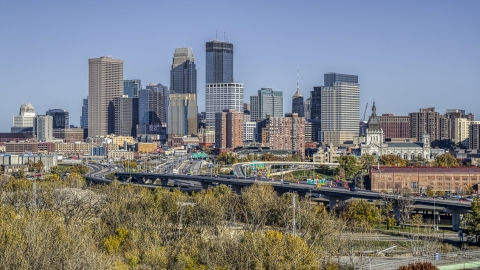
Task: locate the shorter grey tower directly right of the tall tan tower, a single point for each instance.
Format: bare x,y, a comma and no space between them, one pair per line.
126,115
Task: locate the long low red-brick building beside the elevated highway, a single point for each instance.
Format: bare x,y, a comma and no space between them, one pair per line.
419,179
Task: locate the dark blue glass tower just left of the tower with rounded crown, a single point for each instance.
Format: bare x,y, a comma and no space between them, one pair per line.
152,108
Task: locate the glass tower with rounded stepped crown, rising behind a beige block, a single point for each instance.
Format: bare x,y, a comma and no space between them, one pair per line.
183,75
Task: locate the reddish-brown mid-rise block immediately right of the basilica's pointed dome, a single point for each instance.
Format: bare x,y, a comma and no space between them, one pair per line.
394,126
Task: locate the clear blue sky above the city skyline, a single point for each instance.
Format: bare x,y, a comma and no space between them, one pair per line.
408,54
